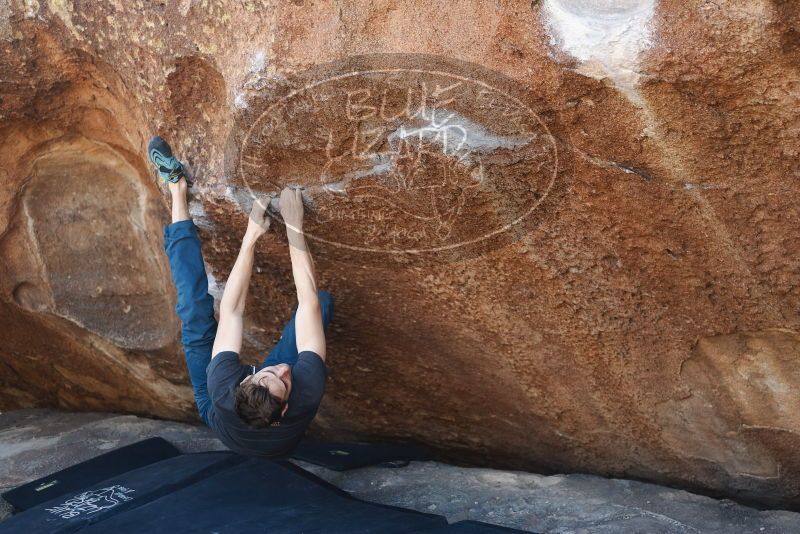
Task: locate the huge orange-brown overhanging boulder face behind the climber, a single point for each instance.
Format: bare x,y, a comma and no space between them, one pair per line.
561,236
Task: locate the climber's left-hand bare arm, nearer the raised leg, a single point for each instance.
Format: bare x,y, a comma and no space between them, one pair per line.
231,307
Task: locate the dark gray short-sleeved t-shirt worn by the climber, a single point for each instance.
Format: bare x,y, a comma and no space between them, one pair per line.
225,372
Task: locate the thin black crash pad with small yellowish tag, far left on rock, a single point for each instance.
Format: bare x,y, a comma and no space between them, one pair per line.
89,472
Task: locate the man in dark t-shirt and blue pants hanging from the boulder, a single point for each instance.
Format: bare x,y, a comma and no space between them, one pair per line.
255,411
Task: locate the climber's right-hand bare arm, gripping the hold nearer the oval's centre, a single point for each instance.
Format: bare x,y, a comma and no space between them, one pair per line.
309,331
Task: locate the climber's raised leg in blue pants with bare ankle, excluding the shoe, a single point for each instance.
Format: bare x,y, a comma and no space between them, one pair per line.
195,306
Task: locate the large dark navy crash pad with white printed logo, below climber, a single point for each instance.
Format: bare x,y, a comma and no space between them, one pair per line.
221,492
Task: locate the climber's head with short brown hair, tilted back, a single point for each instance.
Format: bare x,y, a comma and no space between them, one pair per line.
262,398
